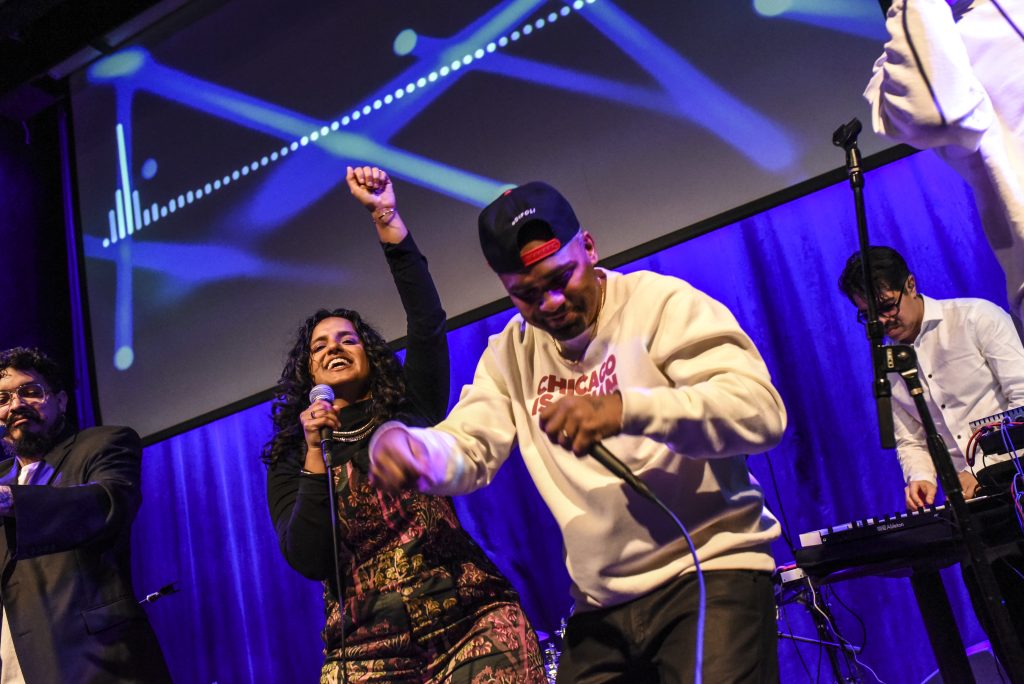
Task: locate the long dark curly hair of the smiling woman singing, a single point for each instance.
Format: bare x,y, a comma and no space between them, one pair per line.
388,383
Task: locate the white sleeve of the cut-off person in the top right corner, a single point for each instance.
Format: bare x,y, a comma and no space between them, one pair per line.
924,91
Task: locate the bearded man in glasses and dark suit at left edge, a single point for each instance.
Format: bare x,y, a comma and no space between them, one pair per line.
68,500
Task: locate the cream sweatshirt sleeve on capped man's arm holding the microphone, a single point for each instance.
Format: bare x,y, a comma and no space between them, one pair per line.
718,400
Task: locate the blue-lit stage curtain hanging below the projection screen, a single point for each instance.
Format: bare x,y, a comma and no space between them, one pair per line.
242,615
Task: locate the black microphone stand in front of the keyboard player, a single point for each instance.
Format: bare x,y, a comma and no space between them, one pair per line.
904,360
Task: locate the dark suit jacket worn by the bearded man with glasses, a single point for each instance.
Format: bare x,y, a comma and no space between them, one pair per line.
66,583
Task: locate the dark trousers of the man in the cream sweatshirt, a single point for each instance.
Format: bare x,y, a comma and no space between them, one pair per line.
654,638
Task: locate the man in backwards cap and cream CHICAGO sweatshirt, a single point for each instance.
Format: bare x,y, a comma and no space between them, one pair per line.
664,376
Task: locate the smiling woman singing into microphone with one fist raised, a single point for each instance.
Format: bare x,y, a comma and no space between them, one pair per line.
422,603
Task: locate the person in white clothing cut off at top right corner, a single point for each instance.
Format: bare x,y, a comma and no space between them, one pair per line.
952,78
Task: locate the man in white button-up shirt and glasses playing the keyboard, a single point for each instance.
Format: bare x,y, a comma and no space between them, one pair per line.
971,366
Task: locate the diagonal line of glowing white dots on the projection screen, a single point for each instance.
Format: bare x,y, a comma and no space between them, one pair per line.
157,211
